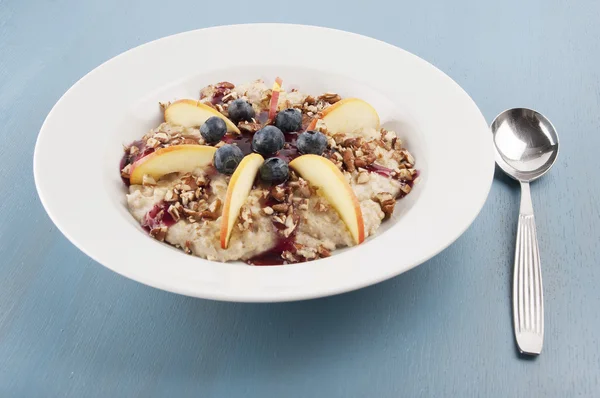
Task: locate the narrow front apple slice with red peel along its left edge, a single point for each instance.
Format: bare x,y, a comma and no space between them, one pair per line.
238,189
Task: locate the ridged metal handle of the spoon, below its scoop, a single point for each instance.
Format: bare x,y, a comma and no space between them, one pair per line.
528,297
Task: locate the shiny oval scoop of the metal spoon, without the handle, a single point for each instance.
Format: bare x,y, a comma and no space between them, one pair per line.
526,143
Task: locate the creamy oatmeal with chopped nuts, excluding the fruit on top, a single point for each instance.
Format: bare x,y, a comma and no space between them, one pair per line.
284,223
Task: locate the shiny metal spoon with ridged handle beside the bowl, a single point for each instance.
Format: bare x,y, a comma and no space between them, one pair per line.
526,147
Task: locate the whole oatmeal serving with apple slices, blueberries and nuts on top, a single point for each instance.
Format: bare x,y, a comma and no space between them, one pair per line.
264,175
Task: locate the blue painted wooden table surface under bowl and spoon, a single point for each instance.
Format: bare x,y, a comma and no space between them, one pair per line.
71,328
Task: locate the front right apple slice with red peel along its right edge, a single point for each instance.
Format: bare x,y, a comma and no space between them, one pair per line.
332,185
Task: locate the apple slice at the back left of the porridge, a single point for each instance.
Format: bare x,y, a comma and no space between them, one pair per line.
192,113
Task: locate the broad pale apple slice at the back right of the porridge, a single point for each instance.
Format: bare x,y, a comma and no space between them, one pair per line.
350,115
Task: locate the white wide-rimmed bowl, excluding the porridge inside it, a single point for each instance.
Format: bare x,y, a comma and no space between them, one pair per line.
80,144
